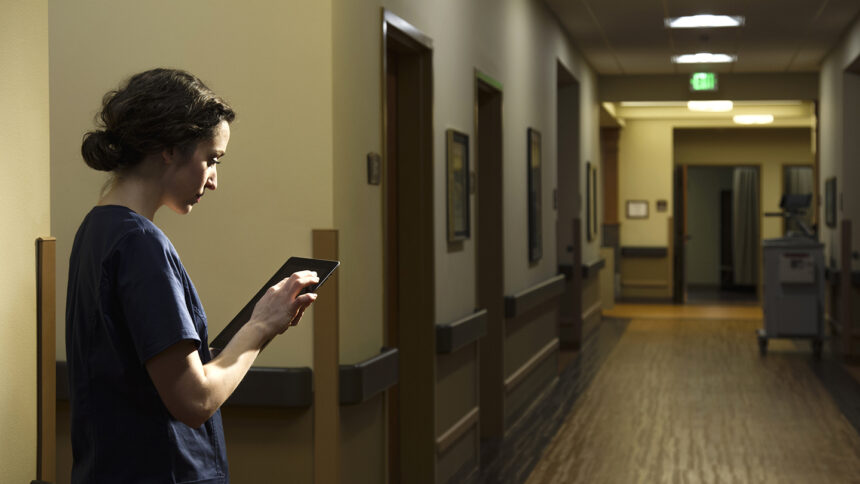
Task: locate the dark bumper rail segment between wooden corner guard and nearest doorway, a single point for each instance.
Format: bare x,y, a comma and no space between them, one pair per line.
362,381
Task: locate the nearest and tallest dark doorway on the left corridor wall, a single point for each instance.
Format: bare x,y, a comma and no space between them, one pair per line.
409,287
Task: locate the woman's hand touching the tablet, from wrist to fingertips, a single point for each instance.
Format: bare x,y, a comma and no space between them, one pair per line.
282,306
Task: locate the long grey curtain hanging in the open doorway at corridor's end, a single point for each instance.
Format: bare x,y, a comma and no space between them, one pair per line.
745,226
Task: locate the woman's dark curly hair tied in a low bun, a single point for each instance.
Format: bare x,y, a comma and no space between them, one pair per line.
154,110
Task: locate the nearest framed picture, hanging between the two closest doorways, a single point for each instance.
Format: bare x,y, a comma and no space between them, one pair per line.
458,186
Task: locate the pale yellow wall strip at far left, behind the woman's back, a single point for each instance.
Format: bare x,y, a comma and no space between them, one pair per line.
25,215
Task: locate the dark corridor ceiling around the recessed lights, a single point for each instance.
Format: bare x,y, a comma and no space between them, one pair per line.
620,37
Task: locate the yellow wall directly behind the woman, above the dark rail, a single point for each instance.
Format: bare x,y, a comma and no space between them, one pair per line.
272,61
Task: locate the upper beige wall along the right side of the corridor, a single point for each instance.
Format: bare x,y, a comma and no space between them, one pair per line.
840,147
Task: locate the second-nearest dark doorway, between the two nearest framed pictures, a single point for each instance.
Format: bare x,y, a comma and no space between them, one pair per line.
489,254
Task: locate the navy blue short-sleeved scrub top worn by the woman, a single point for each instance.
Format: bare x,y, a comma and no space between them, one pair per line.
130,298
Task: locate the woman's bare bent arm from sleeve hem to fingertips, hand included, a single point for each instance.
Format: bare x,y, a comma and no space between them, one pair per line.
192,391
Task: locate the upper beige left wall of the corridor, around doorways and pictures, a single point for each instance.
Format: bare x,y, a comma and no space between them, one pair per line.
516,43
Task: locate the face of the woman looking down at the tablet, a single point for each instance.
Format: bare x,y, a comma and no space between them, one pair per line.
187,177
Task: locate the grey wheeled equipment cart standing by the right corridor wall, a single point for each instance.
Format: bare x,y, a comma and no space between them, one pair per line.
793,291
